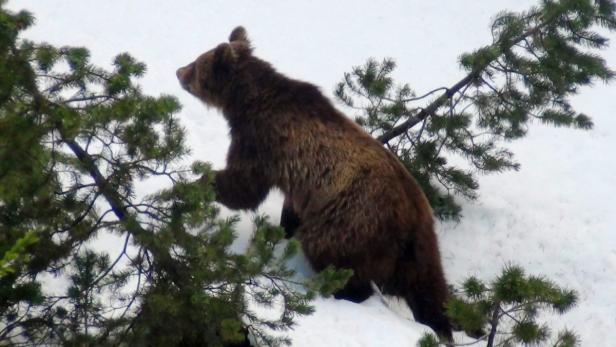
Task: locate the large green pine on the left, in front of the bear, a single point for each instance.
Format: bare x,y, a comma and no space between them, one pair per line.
74,140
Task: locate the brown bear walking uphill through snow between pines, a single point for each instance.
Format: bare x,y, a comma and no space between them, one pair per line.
354,205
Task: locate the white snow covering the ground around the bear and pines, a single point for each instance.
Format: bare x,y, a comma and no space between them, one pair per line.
555,217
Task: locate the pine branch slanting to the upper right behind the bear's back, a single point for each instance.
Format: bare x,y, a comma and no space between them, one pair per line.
537,60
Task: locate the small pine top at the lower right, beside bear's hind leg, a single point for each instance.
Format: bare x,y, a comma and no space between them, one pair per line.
504,314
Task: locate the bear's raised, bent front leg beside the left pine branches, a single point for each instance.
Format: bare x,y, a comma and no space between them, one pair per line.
239,189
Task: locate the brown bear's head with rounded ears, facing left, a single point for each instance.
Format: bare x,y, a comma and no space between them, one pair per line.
212,75
